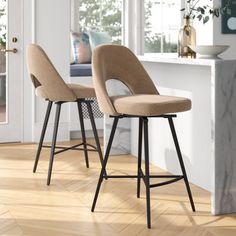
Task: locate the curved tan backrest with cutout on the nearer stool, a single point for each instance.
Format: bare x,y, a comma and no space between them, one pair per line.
118,62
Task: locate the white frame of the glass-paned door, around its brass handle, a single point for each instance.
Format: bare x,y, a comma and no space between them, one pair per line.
12,130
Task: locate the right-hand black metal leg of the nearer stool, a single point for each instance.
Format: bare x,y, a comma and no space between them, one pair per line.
171,123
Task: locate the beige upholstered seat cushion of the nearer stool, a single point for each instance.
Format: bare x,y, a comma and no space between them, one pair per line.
150,105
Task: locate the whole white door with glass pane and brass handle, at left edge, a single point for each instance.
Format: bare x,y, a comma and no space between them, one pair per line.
11,70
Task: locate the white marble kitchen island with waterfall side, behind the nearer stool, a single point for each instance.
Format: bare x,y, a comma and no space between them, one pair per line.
207,133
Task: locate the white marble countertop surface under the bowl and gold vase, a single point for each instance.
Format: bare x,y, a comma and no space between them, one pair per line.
174,59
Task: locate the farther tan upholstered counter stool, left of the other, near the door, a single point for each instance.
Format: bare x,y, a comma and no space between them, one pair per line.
50,86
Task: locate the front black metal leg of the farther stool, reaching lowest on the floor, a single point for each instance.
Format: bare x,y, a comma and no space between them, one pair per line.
54,140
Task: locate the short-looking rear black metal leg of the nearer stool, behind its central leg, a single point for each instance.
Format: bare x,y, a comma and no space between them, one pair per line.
140,143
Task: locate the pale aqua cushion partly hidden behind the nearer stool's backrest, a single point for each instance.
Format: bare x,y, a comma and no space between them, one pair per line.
97,38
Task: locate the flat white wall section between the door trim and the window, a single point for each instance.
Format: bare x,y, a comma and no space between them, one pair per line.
52,32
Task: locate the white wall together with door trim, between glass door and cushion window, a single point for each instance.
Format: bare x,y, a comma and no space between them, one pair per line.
51,31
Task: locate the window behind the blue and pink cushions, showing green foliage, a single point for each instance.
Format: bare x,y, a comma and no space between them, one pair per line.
103,16
